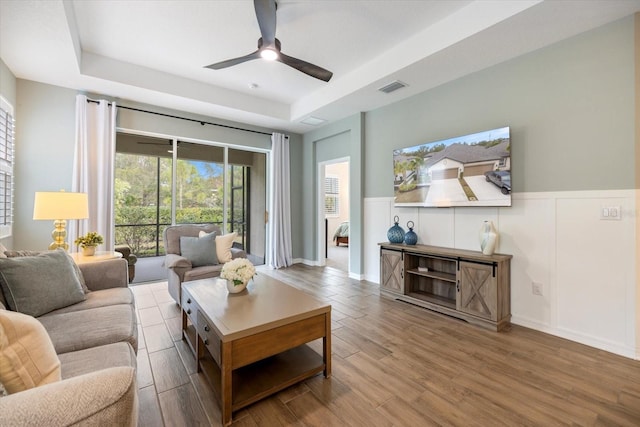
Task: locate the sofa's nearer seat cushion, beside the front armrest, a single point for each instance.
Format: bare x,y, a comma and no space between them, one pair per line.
93,359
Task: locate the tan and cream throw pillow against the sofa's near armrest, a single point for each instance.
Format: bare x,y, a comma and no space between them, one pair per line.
27,356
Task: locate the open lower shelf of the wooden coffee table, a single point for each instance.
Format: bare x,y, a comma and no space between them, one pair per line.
264,377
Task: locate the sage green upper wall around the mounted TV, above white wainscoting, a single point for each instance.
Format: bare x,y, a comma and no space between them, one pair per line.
570,107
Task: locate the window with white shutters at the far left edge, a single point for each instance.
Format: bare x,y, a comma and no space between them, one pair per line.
7,127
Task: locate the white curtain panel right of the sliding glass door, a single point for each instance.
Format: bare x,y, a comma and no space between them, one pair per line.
280,203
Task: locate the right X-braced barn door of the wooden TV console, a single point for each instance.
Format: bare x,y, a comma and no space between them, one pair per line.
477,290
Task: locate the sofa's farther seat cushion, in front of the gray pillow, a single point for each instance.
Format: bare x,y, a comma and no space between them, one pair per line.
82,329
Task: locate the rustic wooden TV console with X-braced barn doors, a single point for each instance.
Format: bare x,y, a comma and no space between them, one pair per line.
465,284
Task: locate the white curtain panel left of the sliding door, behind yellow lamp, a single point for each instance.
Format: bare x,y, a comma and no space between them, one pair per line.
93,167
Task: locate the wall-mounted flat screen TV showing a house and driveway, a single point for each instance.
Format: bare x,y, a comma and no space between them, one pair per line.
470,170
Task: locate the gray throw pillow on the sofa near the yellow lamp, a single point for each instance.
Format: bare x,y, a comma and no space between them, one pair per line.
36,285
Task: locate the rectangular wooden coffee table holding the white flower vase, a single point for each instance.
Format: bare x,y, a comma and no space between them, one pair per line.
252,344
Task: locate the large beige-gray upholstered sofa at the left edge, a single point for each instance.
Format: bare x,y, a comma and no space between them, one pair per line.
96,341
